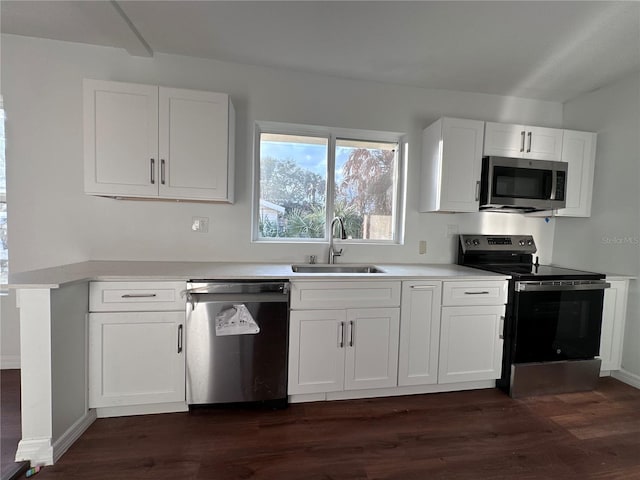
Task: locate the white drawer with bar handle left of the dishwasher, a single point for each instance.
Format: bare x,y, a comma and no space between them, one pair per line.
136,296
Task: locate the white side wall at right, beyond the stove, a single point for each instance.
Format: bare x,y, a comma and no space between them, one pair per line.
609,241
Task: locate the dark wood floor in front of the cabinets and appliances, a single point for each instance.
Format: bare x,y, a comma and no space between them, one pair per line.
466,435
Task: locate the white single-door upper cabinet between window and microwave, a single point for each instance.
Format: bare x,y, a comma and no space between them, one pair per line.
451,165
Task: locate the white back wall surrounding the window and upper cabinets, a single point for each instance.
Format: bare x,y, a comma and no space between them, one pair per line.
52,222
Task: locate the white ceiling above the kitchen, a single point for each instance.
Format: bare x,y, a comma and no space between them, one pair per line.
545,50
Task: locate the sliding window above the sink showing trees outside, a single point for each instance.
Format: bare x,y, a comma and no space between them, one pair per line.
309,175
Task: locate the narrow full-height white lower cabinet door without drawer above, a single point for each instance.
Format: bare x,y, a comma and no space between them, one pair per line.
419,333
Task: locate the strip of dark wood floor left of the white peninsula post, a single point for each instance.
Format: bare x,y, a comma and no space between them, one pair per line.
9,422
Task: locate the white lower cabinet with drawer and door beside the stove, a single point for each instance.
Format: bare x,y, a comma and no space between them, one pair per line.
471,330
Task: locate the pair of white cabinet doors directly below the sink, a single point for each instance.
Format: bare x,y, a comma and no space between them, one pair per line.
335,350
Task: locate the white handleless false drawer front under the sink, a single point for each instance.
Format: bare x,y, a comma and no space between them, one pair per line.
344,294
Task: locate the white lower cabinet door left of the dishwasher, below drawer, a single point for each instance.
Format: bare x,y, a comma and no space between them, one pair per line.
135,358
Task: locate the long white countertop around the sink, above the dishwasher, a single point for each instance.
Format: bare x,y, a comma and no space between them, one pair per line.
55,277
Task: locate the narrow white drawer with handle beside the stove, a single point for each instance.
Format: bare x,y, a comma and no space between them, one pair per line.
491,292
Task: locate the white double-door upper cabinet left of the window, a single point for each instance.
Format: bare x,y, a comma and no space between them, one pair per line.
155,142
